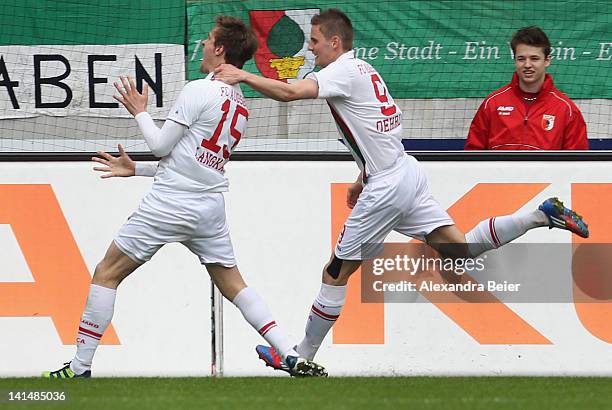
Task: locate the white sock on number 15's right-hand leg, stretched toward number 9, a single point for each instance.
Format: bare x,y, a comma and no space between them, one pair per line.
257,313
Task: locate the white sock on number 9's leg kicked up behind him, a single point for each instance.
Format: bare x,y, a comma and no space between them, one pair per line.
495,232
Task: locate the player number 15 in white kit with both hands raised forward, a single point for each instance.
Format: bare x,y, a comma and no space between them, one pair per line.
186,202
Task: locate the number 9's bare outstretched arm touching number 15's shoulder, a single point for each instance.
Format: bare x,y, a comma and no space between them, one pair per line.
278,90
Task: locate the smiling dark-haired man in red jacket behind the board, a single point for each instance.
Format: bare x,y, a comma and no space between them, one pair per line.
529,113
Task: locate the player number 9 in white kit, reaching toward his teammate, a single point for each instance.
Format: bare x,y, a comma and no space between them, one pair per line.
391,191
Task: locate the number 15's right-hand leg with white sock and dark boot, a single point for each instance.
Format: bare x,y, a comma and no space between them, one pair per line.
256,312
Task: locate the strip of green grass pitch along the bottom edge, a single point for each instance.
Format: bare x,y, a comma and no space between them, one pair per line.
315,394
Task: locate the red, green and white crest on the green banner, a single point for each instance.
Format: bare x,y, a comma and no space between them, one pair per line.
283,42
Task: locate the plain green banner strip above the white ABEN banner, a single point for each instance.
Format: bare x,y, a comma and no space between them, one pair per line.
38,22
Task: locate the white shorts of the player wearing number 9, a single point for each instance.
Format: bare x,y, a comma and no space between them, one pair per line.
395,199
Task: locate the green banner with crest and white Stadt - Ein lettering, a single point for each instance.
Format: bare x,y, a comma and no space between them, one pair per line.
427,49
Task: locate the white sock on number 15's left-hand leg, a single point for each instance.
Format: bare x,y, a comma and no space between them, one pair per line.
96,318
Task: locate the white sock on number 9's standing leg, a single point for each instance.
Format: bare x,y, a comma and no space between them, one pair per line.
323,314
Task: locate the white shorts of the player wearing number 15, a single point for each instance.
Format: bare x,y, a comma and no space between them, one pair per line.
197,220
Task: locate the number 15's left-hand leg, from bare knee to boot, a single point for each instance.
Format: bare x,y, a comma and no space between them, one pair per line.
110,272
